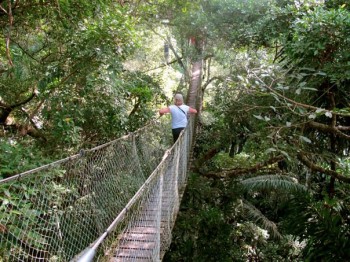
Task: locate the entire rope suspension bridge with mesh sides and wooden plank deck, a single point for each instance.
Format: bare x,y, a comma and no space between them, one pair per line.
114,202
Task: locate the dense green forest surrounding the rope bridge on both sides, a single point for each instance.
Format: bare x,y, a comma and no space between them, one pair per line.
269,179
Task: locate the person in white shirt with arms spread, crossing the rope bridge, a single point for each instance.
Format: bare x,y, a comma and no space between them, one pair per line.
178,113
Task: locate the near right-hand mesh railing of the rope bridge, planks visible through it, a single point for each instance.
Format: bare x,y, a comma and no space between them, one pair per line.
142,231
